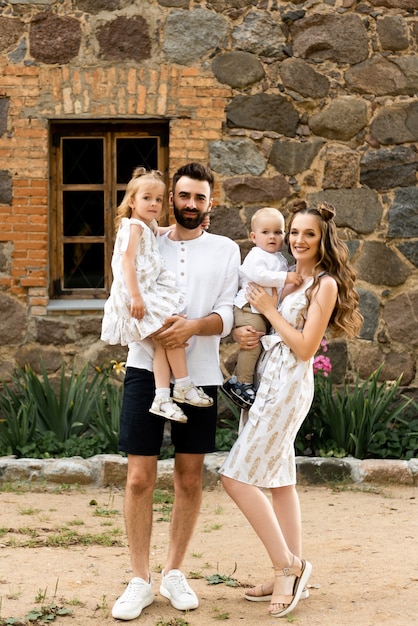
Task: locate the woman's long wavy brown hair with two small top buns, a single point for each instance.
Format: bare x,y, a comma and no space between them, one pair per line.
334,259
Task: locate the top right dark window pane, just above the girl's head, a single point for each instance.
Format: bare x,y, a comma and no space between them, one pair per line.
132,153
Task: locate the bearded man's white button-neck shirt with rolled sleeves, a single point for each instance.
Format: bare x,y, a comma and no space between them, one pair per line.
206,270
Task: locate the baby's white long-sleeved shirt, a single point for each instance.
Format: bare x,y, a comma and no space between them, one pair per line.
268,269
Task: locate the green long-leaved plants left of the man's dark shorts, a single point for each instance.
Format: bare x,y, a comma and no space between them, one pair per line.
79,418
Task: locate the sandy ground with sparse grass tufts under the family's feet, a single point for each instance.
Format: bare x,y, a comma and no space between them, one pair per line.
362,542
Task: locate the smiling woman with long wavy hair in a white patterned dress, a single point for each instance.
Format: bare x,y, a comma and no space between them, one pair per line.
263,455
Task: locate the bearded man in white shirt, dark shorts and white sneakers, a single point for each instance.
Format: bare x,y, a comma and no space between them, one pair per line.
206,268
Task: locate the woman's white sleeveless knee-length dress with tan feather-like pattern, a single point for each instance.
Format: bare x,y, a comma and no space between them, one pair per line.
263,455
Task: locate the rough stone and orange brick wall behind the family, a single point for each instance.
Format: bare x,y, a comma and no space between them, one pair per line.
285,100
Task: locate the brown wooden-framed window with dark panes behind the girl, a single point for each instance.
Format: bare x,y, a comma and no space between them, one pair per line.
90,167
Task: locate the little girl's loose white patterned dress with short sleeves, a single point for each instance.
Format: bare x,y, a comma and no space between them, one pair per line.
157,286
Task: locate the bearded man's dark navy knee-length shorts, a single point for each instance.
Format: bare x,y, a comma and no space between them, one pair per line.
141,432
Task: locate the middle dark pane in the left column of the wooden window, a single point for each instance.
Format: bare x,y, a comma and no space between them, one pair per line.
83,213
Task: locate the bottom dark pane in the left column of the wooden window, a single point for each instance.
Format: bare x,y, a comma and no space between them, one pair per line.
83,266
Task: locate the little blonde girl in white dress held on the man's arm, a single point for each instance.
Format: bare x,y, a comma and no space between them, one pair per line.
143,293
